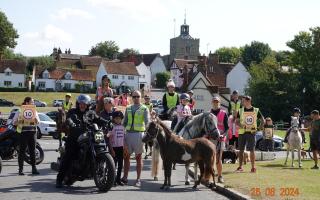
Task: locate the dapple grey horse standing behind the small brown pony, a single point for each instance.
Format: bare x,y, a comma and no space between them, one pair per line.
198,126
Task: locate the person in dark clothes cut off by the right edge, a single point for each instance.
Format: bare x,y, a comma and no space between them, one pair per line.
315,137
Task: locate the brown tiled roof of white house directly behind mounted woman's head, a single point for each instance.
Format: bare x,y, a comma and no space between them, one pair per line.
123,68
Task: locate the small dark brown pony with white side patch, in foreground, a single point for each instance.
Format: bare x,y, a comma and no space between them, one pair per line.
174,149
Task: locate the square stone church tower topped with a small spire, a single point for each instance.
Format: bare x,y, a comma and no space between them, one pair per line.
184,46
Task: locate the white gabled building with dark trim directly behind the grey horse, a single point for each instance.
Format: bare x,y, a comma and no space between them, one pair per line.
204,91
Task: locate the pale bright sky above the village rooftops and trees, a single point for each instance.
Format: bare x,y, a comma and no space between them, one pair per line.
148,25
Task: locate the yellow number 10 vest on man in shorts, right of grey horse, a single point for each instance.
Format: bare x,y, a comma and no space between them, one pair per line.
248,121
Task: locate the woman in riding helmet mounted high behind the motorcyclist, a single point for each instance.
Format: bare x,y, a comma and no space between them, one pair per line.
103,91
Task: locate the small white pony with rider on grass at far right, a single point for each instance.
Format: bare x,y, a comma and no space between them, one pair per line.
294,141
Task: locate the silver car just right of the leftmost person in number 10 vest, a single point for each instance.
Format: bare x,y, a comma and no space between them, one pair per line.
46,126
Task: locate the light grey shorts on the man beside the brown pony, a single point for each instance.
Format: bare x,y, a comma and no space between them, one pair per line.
134,142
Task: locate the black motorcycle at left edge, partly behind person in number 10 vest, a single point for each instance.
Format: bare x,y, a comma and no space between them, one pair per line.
9,145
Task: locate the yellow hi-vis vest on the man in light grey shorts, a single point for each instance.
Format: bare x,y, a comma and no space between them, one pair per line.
136,122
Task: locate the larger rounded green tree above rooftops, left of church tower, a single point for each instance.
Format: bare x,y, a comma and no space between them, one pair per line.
106,49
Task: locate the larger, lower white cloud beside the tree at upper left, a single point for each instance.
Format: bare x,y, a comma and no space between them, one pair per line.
50,35
